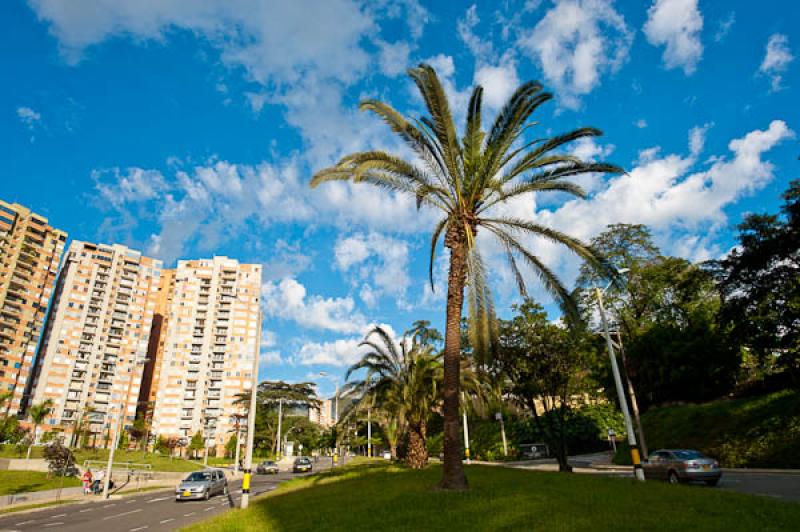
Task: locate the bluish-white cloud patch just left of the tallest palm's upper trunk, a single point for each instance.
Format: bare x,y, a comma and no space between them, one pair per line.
379,264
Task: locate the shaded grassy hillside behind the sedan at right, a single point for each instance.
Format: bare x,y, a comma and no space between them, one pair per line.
750,432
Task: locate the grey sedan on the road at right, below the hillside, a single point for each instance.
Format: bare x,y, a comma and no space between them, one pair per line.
682,465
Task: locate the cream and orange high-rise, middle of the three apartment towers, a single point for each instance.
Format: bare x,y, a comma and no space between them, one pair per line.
95,343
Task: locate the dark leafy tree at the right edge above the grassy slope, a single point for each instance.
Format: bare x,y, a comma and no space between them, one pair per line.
760,283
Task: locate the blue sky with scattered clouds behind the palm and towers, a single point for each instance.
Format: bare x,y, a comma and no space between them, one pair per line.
187,128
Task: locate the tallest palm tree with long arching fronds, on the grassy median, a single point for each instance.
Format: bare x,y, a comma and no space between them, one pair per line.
468,180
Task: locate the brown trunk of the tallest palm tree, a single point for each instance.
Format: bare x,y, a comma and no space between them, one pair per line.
453,477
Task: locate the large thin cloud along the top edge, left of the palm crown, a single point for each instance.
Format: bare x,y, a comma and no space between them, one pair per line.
303,54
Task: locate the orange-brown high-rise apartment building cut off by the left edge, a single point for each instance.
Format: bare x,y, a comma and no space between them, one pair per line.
30,252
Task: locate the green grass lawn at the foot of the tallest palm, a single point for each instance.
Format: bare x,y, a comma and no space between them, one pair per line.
384,497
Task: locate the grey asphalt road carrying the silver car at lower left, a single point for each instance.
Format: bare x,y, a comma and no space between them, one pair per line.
150,512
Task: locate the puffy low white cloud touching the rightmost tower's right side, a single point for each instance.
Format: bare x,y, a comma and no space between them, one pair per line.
289,300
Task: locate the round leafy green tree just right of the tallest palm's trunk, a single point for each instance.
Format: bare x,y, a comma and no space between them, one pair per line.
545,365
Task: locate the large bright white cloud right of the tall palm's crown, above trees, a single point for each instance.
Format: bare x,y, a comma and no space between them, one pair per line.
665,194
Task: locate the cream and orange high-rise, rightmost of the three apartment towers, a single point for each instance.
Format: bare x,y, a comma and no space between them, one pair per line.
210,352
